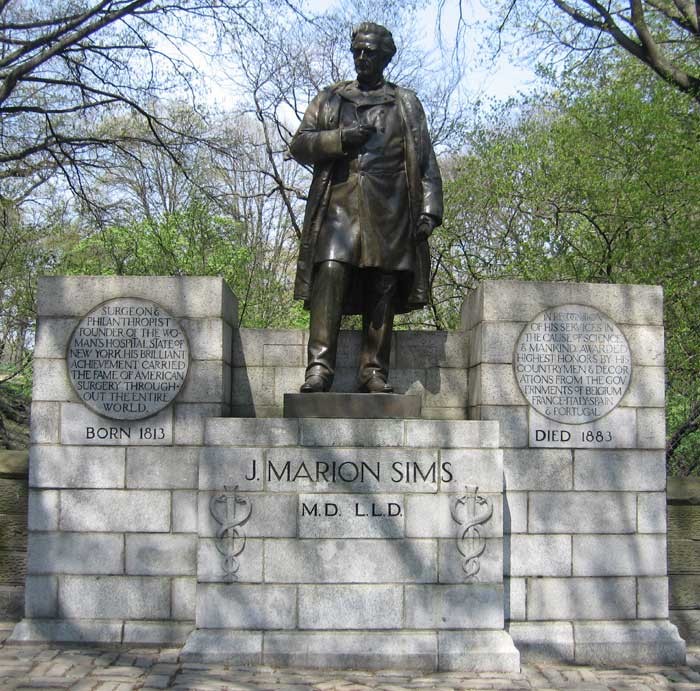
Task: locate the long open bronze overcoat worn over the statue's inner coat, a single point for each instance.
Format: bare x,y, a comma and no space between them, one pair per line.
317,141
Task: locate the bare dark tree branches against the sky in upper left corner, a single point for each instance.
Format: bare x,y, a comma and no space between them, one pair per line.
68,68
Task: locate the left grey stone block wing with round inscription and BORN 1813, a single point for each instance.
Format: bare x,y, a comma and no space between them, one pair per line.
112,501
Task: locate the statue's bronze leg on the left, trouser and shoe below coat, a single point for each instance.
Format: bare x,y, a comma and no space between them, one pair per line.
330,285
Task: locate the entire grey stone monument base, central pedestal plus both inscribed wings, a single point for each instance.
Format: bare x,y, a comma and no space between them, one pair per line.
353,541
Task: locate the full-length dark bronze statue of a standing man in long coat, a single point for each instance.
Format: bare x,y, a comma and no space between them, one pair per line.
375,198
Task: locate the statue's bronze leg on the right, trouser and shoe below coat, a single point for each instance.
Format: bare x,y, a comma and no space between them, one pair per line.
377,324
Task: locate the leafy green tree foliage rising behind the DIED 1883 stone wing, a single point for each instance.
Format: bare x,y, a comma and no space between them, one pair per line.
596,181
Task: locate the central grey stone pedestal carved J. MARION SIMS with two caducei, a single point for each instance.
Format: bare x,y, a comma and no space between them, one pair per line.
353,543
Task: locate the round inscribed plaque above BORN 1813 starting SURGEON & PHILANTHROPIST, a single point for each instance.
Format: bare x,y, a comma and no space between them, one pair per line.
128,359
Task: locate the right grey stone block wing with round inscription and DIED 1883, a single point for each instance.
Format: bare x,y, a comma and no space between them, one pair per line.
584,503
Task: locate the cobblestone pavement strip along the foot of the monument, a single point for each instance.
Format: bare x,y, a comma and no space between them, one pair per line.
85,668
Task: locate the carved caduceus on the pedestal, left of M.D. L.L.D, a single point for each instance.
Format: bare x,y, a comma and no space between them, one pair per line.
232,512
